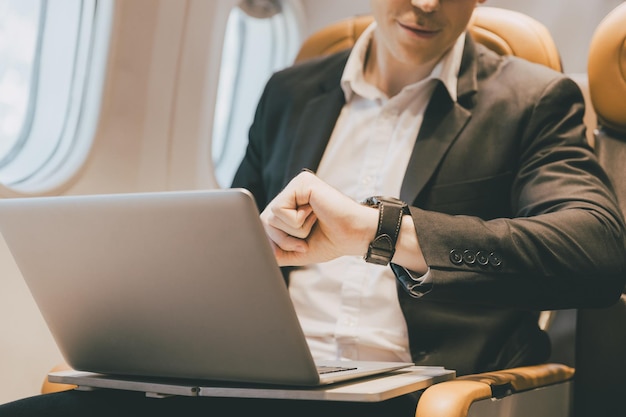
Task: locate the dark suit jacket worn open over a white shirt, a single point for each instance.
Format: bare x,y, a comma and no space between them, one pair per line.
504,177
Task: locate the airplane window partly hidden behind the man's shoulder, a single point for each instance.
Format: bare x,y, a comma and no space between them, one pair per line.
261,37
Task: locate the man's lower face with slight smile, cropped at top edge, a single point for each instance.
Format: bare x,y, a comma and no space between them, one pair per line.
420,31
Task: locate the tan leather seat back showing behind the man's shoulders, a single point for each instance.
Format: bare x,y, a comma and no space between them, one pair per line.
506,32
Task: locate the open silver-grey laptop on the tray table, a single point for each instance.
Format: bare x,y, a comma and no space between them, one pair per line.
175,285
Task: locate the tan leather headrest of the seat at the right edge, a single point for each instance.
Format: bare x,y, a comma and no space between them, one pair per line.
607,70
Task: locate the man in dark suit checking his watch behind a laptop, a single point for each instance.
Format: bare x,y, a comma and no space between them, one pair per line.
508,211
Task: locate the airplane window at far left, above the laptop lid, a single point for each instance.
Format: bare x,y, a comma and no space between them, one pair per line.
52,56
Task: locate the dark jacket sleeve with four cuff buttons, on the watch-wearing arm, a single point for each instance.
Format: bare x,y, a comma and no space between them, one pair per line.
564,245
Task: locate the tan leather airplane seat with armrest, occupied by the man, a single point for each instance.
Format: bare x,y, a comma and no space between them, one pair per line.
537,391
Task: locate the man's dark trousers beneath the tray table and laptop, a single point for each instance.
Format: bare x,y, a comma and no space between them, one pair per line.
132,404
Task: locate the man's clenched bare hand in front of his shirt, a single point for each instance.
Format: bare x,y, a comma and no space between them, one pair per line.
311,222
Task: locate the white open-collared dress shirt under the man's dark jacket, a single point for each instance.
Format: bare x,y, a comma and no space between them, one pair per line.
348,308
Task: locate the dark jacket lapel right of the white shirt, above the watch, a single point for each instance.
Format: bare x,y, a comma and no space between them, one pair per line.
443,122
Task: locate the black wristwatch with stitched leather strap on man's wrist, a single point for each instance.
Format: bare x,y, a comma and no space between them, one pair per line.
390,212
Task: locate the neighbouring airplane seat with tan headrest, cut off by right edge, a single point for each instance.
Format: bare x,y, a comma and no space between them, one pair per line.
601,333
